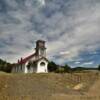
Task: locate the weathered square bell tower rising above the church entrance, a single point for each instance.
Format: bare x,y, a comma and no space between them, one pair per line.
40,48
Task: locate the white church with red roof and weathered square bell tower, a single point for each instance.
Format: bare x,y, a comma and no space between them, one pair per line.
35,63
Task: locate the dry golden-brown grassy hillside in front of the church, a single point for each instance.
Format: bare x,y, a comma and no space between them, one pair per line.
46,86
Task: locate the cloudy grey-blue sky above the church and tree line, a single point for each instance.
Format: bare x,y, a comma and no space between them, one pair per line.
71,29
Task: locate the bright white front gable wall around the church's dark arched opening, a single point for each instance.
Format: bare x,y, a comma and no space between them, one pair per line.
42,69
